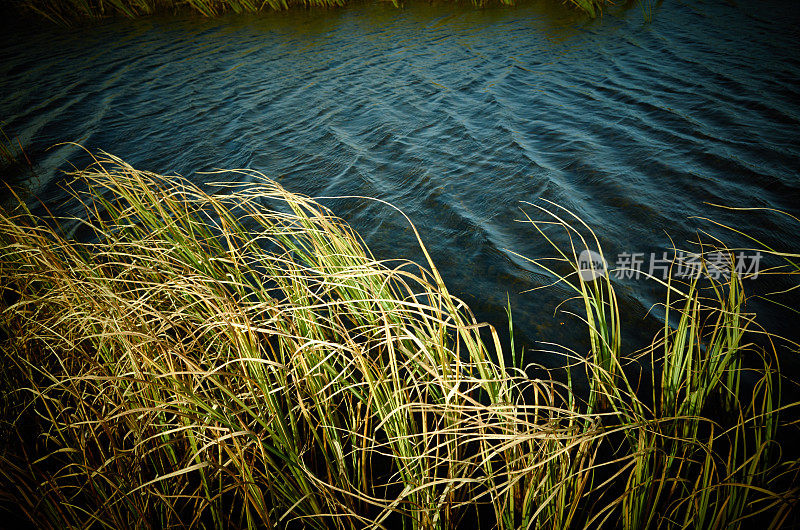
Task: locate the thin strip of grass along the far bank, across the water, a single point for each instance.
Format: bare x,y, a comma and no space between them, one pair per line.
67,12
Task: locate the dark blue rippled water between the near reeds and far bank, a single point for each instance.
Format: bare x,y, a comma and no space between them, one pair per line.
456,115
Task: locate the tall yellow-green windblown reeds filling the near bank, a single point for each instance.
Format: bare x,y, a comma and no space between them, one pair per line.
239,359
